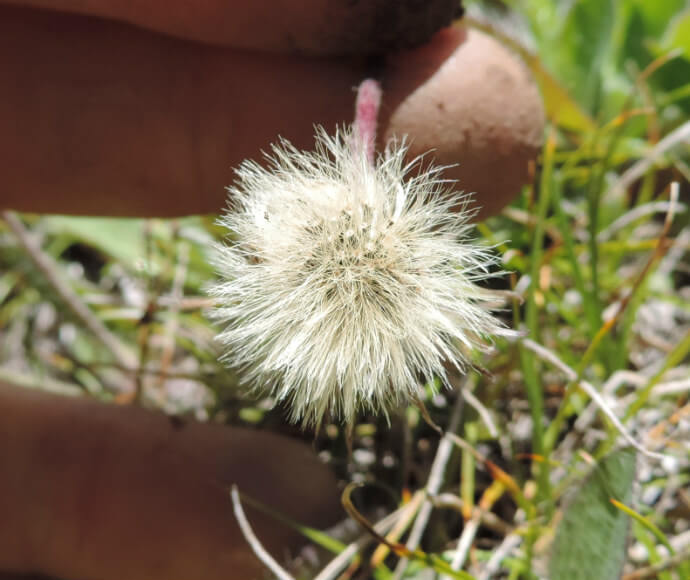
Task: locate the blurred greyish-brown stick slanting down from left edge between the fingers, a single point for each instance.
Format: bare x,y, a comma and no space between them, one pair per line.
47,266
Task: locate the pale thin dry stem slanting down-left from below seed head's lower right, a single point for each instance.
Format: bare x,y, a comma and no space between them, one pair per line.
438,467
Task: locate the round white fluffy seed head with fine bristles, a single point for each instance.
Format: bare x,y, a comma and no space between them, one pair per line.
347,284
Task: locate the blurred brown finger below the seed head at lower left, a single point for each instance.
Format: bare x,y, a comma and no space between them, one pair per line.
99,491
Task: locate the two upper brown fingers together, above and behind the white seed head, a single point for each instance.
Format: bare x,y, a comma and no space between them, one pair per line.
99,117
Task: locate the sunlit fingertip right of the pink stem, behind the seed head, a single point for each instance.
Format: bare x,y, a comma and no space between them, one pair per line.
472,103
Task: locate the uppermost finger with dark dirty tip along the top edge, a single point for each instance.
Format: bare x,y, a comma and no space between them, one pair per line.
306,27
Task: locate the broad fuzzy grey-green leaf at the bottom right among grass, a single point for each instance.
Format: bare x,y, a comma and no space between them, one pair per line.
591,538
